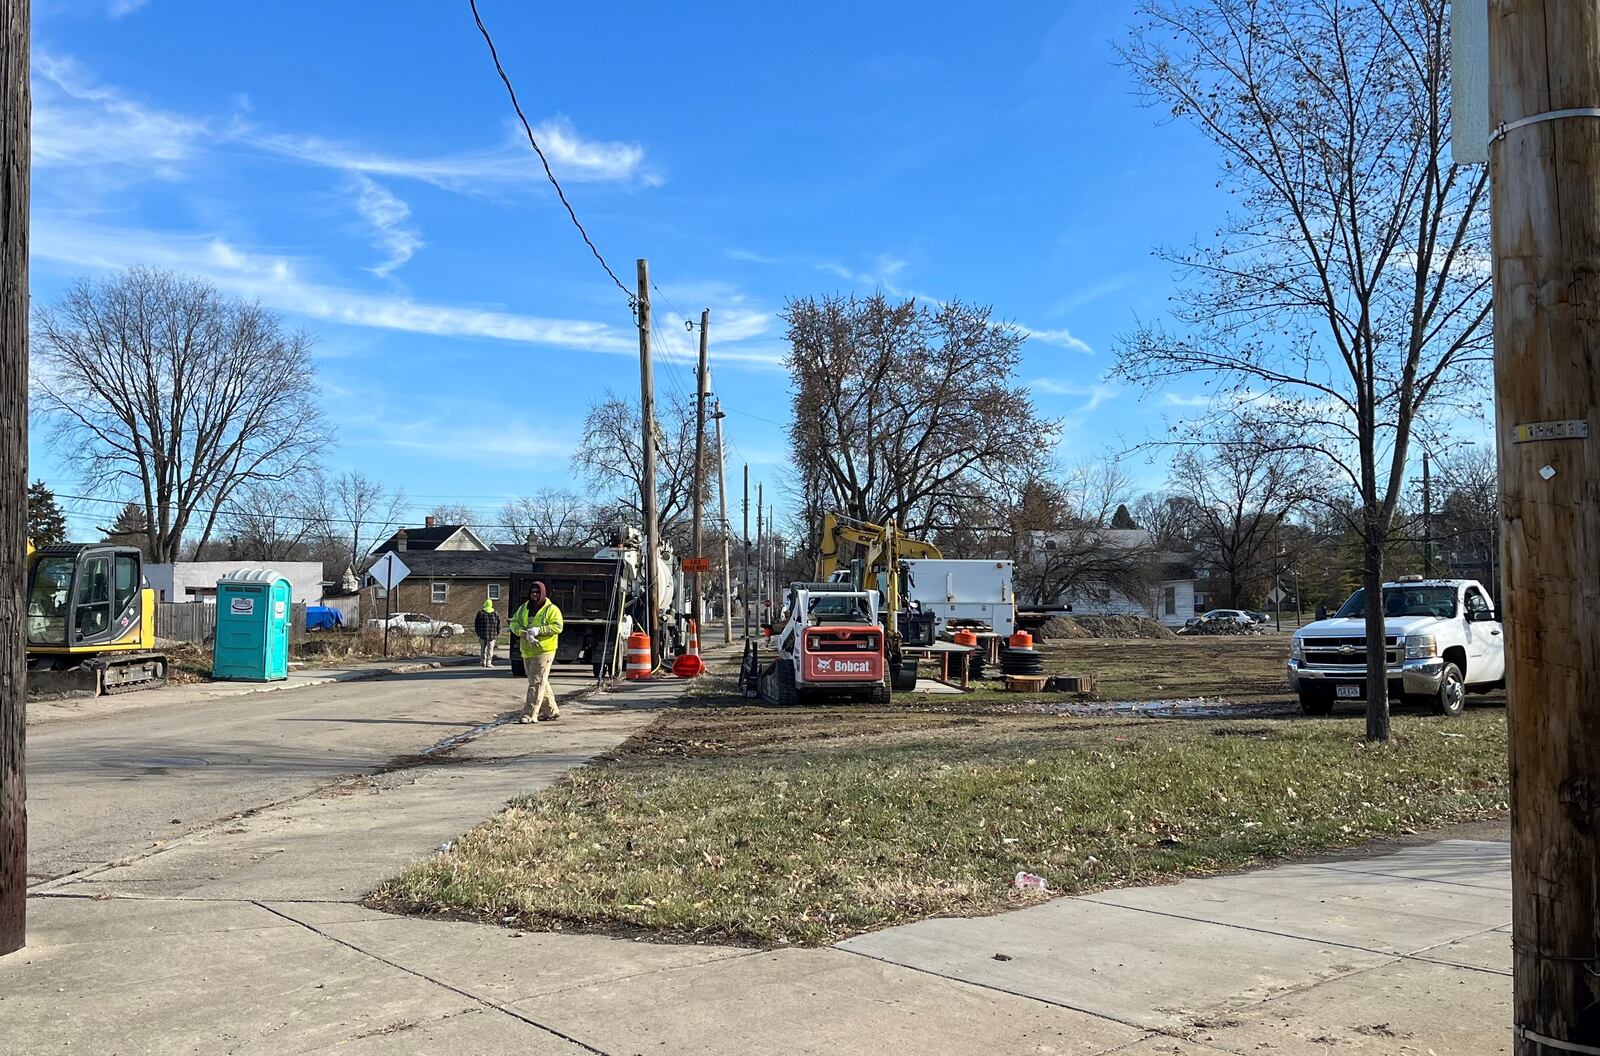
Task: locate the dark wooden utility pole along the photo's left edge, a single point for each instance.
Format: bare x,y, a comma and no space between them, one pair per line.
14,466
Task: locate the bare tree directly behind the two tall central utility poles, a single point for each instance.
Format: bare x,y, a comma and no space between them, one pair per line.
612,457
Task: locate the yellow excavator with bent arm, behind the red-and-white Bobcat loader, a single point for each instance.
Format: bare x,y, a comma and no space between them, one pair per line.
884,548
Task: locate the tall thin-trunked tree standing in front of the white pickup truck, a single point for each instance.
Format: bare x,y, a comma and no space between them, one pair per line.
1348,295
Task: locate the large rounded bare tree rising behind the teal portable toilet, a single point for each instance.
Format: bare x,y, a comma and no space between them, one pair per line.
161,385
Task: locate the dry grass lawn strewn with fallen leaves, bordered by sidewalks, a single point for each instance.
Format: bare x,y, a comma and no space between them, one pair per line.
748,825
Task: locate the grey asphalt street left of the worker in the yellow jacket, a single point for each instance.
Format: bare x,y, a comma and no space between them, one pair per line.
102,790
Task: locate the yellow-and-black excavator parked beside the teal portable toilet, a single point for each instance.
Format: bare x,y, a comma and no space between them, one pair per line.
90,622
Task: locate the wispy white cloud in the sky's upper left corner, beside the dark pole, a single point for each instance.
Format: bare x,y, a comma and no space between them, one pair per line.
82,124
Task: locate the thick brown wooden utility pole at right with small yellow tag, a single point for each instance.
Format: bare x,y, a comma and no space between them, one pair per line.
1545,58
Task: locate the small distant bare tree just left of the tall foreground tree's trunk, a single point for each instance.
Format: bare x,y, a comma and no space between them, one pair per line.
1236,498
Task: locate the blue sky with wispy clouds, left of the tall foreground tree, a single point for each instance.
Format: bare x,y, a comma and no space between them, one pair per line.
354,167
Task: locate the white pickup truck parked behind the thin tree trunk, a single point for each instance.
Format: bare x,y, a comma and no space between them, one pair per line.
1444,639
